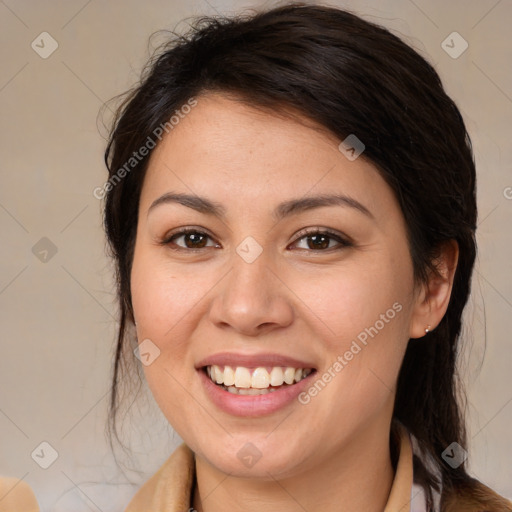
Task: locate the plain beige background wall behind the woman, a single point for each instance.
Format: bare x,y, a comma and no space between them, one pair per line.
57,317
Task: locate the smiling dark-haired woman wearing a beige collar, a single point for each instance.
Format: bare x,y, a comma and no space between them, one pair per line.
291,209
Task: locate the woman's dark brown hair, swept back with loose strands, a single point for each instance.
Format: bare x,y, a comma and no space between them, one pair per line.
351,77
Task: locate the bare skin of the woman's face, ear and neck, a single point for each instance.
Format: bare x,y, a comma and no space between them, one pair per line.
293,299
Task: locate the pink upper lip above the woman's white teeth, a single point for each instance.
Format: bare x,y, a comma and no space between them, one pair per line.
252,361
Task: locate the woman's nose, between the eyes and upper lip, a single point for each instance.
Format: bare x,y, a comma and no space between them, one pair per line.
252,299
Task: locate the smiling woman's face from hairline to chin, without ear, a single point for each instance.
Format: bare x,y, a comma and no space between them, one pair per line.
258,286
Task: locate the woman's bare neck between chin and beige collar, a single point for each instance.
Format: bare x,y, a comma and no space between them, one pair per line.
357,477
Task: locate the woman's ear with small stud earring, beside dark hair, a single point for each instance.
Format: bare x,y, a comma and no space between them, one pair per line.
433,297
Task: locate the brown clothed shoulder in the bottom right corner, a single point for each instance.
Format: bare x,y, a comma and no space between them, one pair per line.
474,496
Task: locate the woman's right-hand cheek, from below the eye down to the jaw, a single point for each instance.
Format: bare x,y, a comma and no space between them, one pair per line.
362,317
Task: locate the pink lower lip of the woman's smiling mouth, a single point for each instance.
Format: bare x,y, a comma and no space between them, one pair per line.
252,405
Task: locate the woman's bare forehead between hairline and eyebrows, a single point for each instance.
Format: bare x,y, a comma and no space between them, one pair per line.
239,153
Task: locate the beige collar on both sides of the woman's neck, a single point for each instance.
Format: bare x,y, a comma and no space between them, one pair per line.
170,488
